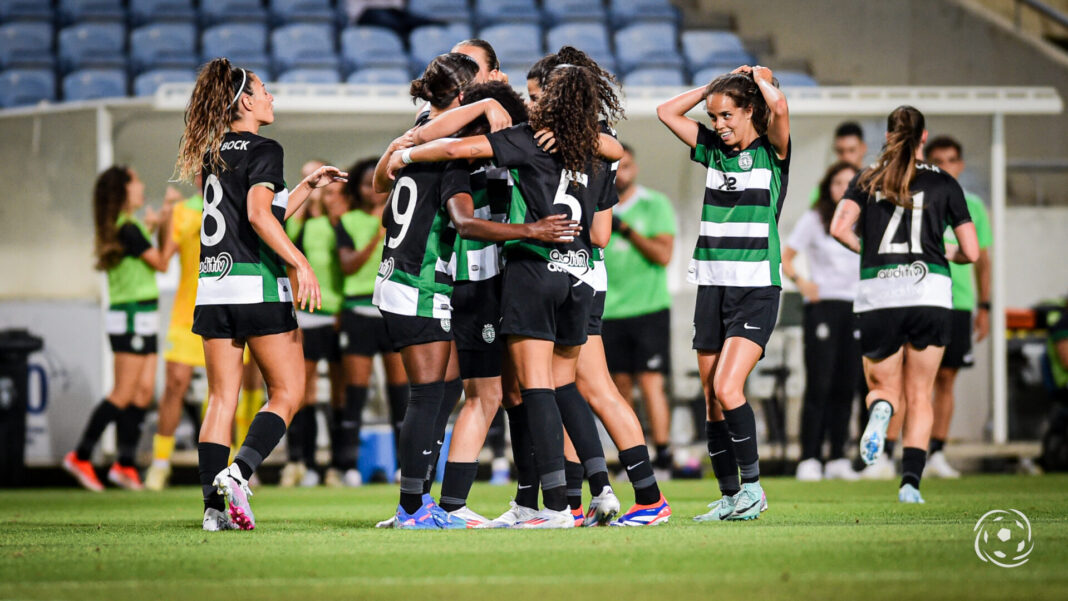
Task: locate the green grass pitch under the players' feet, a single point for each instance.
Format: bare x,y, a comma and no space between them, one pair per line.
820,541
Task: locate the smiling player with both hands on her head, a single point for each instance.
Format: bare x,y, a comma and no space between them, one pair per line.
735,265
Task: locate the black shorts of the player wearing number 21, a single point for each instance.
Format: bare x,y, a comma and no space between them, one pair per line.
885,331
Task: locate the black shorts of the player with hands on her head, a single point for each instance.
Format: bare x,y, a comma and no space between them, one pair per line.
726,312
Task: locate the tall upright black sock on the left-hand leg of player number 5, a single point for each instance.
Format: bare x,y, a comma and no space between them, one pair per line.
547,435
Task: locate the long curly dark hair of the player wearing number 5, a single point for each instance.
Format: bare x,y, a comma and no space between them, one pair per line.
569,108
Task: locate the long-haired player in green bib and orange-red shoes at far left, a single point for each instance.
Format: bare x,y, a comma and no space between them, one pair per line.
124,251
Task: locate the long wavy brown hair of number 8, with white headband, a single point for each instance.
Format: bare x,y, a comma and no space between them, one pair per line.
212,109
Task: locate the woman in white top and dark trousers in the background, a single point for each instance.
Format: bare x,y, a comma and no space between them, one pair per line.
833,355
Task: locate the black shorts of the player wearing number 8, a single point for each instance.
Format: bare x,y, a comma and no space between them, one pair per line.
240,322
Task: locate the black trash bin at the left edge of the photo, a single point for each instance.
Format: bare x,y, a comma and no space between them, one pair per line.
15,347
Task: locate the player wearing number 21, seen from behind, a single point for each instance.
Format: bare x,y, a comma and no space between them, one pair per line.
902,207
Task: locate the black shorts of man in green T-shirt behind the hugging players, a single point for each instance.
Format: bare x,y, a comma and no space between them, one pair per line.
639,344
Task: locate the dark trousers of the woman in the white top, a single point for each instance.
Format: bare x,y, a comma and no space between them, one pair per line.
833,362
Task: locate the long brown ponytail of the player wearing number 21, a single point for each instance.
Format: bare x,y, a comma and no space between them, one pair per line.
897,166
